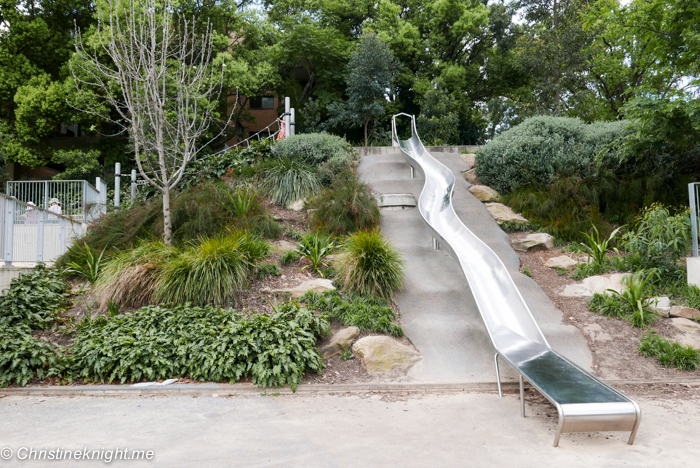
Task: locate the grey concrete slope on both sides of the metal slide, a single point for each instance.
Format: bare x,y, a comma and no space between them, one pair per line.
438,310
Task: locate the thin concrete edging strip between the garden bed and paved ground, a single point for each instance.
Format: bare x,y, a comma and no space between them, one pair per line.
208,389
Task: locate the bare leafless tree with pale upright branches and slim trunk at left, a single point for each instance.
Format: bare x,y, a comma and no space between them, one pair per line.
160,79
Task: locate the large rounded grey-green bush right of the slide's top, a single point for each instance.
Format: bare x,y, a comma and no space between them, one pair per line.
542,148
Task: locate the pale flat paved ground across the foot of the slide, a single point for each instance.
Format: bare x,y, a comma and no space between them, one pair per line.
418,430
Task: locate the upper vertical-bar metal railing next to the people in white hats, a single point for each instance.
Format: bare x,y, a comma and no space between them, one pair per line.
77,199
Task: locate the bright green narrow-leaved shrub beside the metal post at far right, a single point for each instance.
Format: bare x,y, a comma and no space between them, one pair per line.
659,239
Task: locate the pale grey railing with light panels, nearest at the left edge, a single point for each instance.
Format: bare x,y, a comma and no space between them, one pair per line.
29,234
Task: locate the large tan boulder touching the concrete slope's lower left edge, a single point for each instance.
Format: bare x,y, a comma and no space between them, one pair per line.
379,354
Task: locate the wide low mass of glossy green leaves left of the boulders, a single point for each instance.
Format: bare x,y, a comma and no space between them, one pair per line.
202,343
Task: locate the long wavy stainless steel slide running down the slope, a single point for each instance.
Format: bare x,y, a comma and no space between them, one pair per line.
584,402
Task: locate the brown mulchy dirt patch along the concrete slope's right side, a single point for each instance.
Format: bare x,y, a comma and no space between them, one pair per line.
616,358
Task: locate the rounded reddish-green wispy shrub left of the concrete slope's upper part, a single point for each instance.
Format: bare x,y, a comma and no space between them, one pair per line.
346,206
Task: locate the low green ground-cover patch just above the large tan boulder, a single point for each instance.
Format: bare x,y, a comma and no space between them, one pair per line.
368,313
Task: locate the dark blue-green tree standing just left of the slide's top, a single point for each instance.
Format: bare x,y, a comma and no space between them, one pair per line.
369,81
